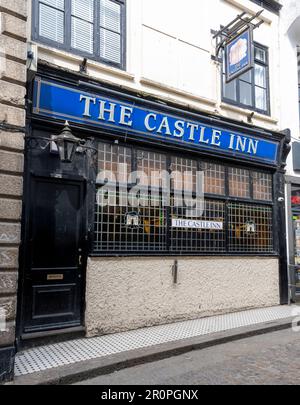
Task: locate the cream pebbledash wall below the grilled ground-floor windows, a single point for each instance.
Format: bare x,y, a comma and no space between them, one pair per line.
129,293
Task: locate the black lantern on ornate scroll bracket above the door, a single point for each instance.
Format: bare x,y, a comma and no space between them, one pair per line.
66,144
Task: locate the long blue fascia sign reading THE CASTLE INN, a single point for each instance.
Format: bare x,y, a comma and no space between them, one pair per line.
65,102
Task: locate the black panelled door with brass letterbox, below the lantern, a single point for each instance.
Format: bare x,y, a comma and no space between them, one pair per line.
55,255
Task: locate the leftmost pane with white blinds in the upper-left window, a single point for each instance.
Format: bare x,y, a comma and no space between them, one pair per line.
51,24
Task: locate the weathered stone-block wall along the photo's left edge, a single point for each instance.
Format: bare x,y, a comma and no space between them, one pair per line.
13,56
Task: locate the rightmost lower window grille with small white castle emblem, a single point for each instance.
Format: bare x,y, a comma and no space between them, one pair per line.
250,228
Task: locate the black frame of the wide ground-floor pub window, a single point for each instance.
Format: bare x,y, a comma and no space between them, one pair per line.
226,199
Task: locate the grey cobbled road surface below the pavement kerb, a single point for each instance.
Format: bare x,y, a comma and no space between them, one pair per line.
269,359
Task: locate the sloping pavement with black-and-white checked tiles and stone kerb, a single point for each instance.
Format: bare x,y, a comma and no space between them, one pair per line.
85,359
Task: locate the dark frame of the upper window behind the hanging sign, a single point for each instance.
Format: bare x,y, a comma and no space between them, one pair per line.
253,86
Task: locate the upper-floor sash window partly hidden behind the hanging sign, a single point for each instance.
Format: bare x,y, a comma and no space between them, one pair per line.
251,90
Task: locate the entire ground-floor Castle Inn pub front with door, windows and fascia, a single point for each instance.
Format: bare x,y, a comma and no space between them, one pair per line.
161,214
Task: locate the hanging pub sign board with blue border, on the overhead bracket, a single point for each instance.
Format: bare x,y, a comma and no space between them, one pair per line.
239,55
